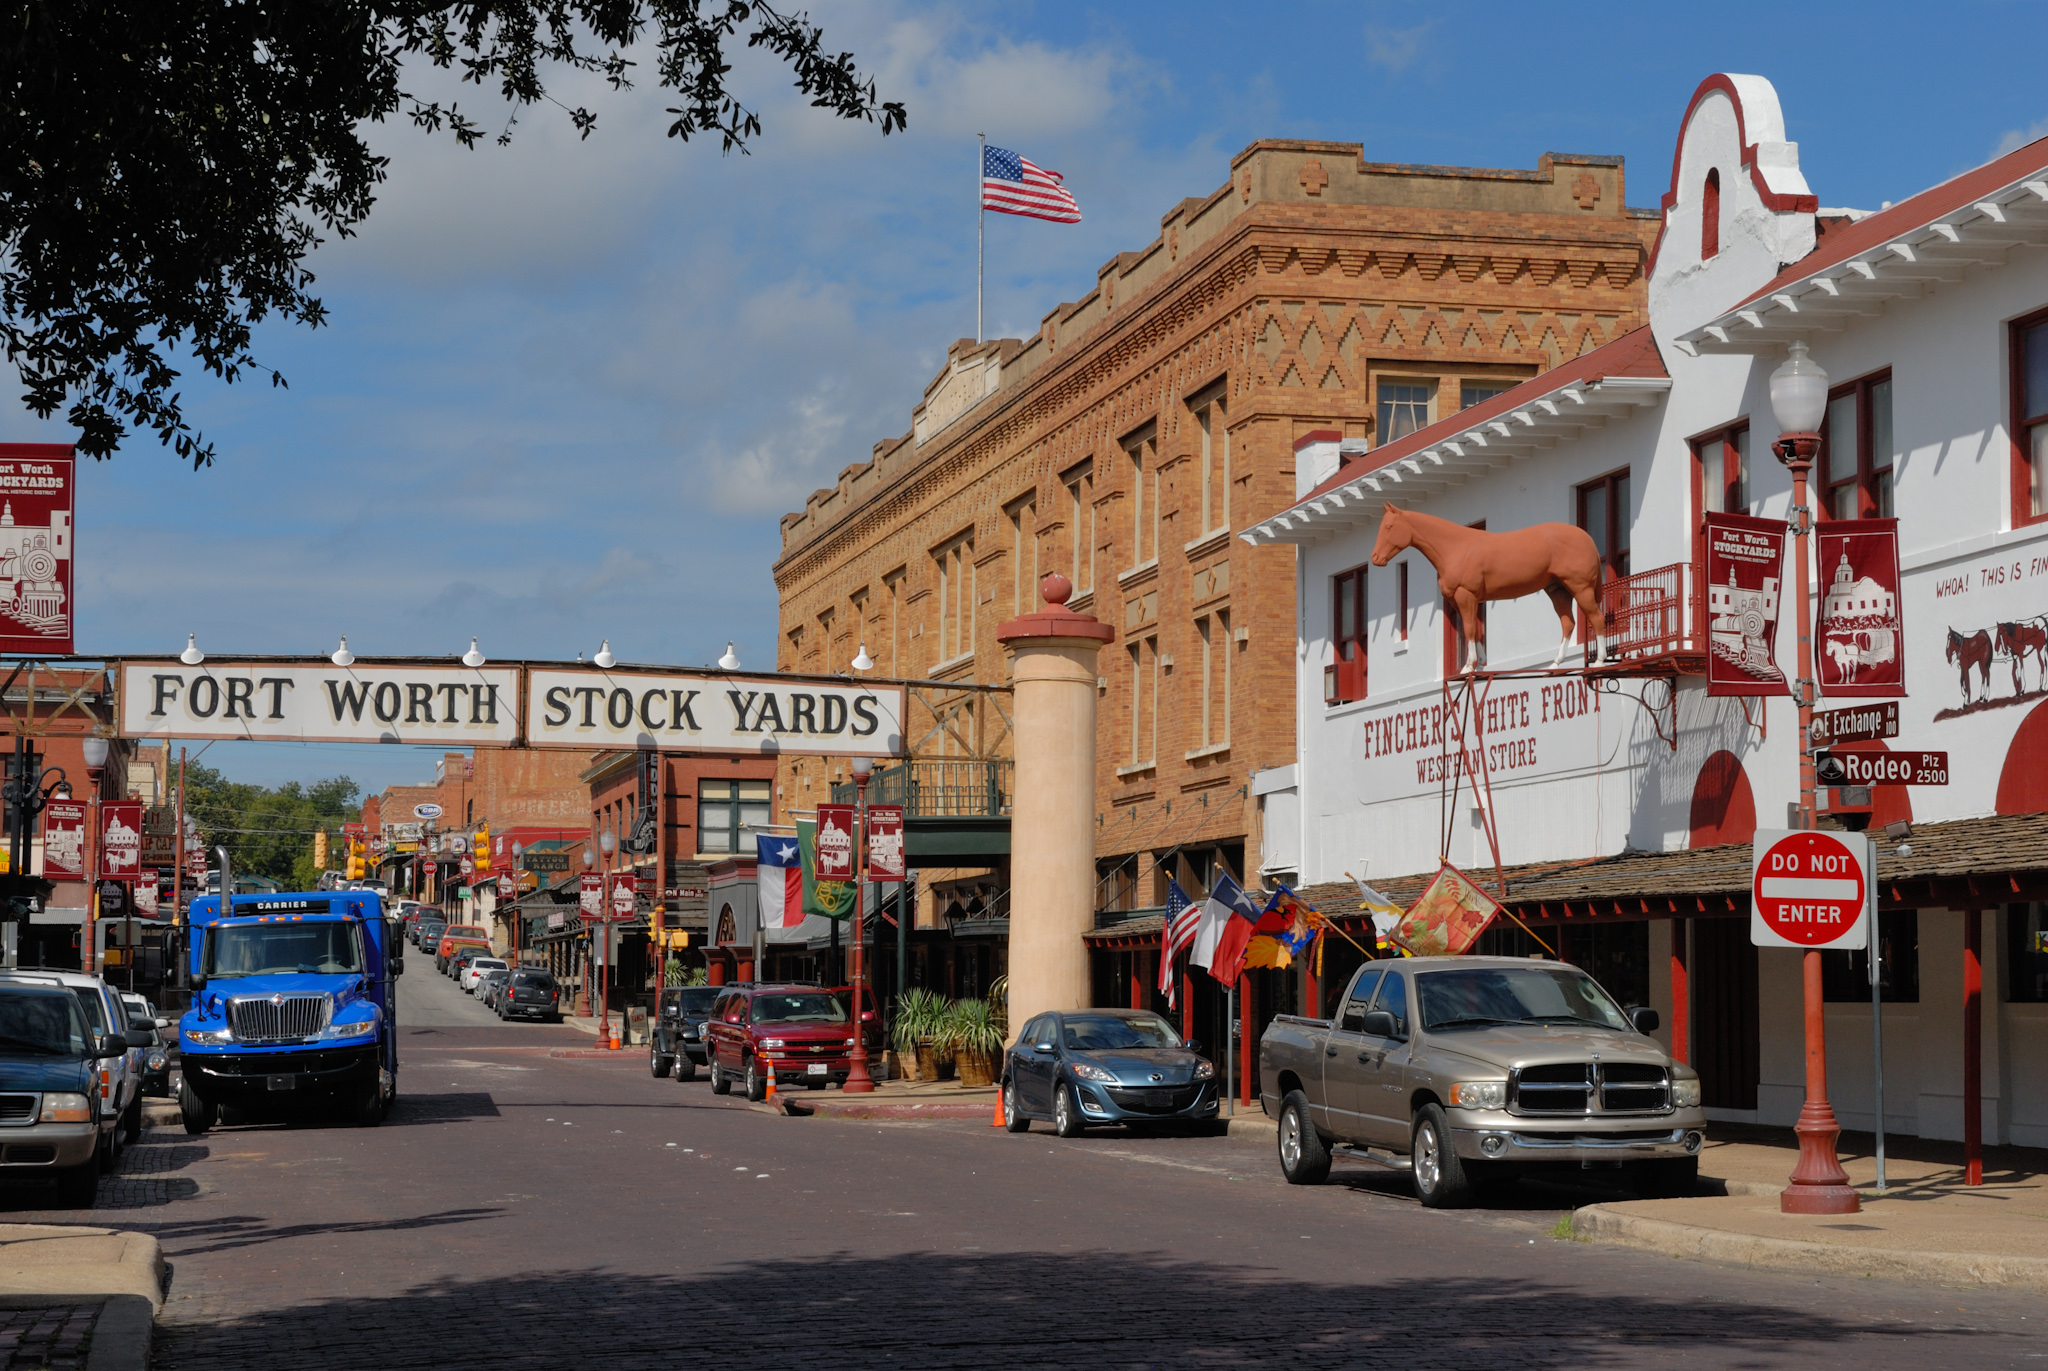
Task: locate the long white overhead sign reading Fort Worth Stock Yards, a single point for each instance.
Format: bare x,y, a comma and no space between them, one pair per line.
583,708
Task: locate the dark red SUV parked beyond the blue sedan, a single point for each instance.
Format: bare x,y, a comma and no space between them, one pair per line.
802,1034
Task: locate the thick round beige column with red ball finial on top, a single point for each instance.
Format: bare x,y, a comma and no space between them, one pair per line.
1054,811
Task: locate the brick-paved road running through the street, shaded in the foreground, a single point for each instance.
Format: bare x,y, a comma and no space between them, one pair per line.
540,1212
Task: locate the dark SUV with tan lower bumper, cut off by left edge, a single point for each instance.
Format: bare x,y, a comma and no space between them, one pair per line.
52,1116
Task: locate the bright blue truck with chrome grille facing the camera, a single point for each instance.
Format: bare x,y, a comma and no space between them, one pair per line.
294,1007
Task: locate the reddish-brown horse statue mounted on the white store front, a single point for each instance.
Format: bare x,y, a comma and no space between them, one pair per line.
1476,567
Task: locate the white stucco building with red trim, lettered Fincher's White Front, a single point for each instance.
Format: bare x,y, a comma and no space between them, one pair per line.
1623,798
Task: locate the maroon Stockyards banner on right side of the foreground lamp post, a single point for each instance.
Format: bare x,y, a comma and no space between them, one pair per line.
1859,638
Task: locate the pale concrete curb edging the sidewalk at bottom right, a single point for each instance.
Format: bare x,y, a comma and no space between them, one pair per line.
1689,1241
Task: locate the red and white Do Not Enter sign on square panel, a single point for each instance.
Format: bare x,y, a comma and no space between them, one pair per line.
1811,888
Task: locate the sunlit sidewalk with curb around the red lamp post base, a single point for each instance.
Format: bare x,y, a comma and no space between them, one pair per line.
1926,1227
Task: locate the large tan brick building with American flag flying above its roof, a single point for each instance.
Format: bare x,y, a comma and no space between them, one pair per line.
1314,296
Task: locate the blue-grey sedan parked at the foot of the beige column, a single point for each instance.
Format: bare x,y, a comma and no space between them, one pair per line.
1105,1067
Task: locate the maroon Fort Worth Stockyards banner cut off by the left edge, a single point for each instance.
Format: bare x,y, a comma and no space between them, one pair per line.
38,503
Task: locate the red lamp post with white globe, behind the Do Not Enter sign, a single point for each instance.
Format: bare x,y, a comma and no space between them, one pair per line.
1799,403
